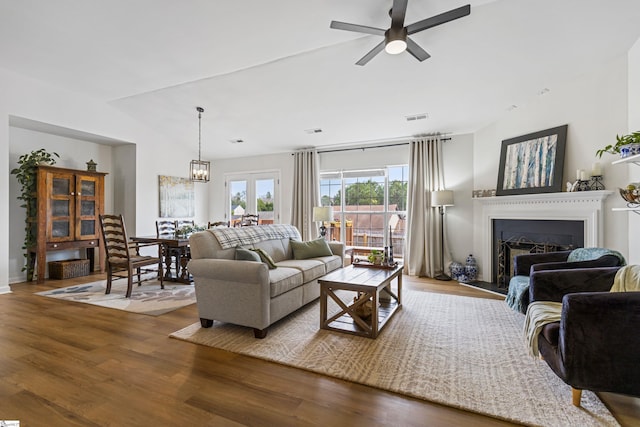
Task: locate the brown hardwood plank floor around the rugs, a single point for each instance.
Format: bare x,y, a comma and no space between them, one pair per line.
69,364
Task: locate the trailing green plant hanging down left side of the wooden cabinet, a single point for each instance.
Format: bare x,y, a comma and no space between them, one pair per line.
26,175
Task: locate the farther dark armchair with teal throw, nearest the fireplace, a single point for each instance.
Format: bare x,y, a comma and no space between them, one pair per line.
529,267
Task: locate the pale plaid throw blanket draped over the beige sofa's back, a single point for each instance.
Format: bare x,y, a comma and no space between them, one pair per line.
232,237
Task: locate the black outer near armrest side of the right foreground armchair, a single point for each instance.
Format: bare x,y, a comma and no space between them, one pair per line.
599,342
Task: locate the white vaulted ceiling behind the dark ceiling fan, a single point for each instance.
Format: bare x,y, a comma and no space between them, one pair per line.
268,72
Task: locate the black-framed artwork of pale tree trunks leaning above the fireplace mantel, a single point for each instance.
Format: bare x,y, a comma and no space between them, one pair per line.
532,163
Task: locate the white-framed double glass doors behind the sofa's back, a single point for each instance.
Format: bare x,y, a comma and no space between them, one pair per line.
253,193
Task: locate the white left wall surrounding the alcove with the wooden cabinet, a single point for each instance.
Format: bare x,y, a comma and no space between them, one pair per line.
154,154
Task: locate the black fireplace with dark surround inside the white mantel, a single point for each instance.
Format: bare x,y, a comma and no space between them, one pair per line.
513,237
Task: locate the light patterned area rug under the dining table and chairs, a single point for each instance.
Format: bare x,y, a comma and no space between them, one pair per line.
145,299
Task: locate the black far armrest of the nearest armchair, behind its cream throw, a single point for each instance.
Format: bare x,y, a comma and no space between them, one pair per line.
552,285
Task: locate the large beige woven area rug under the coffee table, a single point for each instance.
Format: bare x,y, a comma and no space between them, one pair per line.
460,351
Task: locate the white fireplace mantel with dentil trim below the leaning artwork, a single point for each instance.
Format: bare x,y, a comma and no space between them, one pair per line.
585,206
